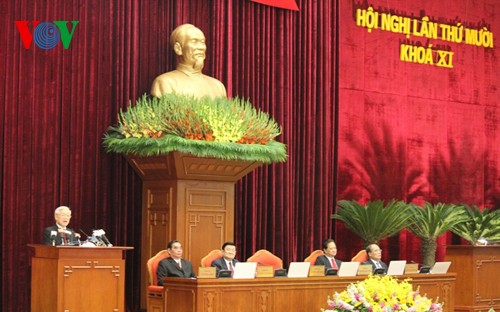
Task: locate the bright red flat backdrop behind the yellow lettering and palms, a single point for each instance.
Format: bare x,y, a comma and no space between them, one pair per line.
417,132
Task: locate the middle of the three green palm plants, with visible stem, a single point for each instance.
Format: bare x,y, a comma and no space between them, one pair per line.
430,222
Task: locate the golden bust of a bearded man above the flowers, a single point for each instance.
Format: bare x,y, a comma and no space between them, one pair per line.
188,43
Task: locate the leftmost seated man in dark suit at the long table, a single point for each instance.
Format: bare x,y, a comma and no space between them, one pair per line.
174,266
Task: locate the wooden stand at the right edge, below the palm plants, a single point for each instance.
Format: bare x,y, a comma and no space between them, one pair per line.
478,270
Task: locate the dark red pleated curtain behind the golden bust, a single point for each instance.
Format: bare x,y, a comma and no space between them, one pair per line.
59,102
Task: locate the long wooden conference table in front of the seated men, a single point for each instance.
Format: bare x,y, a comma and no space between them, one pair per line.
276,294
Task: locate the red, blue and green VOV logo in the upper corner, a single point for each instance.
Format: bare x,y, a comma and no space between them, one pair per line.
46,35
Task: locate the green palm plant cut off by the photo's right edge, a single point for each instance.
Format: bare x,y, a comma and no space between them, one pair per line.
479,225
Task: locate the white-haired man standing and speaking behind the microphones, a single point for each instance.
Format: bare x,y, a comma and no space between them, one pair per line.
60,234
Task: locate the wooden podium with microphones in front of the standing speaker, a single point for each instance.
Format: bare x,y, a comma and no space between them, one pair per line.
77,279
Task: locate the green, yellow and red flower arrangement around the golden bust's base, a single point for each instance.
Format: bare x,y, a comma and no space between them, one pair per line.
230,129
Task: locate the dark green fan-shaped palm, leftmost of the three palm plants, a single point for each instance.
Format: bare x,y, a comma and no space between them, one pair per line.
375,221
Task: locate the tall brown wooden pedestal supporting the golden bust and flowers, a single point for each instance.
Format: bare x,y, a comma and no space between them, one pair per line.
187,198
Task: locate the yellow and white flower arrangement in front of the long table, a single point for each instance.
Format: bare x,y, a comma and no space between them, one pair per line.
381,294
